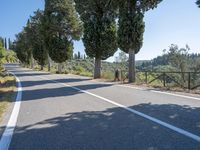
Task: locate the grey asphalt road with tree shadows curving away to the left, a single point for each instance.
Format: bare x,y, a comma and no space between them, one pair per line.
75,113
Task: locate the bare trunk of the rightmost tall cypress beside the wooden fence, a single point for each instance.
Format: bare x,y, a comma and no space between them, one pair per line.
131,74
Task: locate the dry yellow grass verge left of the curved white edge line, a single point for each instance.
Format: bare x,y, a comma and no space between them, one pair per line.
7,88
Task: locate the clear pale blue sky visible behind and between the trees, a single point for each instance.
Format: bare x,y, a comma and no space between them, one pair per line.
173,22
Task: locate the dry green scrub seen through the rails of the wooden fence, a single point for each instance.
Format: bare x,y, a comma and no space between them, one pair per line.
186,80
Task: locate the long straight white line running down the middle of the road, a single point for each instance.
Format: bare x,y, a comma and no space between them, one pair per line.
167,125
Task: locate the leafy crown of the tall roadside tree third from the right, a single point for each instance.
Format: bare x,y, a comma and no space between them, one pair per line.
62,26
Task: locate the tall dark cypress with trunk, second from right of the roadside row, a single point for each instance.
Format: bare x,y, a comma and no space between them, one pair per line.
100,31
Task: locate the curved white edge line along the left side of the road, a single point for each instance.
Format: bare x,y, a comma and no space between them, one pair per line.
8,133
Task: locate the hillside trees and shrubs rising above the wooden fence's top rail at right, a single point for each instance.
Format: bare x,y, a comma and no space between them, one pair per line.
175,59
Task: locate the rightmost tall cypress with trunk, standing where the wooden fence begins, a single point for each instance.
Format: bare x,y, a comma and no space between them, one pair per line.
131,28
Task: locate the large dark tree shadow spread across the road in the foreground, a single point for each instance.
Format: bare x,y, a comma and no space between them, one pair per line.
110,129
